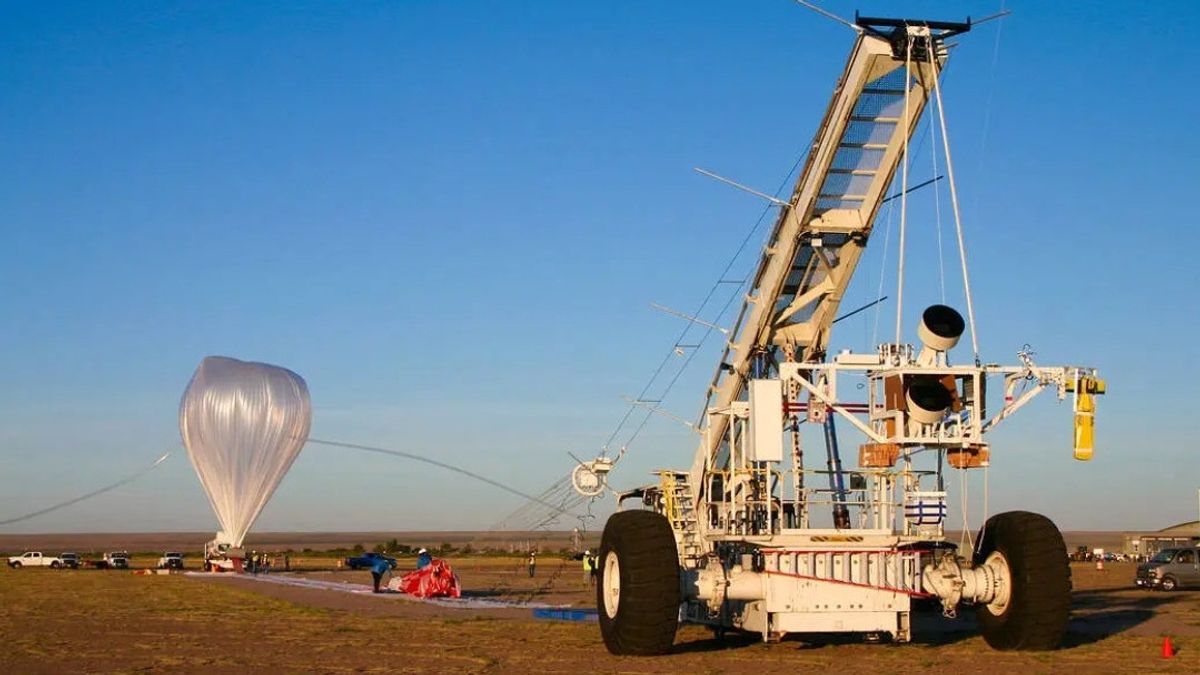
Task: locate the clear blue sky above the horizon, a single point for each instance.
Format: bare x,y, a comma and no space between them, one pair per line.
451,218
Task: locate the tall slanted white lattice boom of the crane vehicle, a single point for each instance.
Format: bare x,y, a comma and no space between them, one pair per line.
820,236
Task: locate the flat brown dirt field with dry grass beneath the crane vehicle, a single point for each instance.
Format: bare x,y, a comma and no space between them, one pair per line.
116,622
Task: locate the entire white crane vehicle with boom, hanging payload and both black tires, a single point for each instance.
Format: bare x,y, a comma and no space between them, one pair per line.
734,542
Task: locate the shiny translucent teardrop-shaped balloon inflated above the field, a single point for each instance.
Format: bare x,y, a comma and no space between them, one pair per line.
243,425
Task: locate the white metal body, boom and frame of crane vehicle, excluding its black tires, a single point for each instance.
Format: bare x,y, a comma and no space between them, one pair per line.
748,553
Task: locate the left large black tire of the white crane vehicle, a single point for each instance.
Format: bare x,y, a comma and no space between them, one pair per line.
638,587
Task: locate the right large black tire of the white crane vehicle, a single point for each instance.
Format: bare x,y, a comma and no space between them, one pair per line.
1035,619
